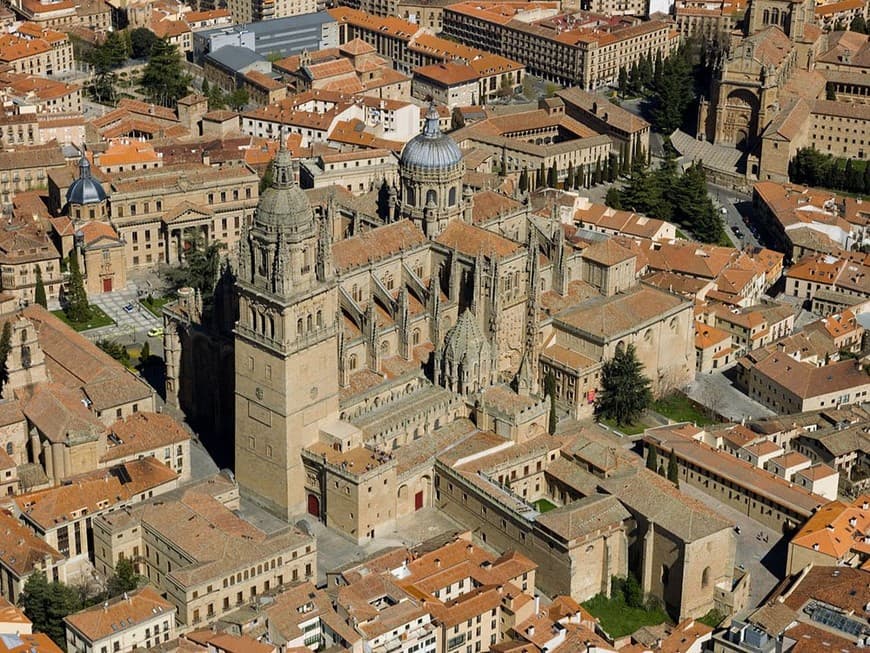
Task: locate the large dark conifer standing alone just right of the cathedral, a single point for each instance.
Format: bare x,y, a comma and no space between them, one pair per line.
625,391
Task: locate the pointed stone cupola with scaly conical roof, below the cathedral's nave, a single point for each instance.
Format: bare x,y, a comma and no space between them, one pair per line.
466,357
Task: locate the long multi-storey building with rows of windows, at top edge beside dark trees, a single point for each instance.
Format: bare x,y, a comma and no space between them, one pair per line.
583,49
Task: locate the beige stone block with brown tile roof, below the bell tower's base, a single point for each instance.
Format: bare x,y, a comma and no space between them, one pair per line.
213,565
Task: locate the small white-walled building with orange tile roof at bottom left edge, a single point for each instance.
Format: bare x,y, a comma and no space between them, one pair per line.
137,619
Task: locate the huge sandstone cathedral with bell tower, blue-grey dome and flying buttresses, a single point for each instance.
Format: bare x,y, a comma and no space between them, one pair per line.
361,342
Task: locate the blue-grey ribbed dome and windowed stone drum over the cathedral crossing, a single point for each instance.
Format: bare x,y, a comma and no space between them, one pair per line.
431,169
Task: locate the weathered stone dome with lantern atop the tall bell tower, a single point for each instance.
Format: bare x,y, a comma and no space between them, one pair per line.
284,206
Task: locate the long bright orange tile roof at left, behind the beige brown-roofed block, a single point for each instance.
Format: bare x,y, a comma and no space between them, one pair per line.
94,492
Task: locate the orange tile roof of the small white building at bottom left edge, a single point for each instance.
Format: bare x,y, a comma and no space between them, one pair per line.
119,614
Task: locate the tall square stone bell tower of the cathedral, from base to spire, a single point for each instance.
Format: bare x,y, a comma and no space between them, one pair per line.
286,349
